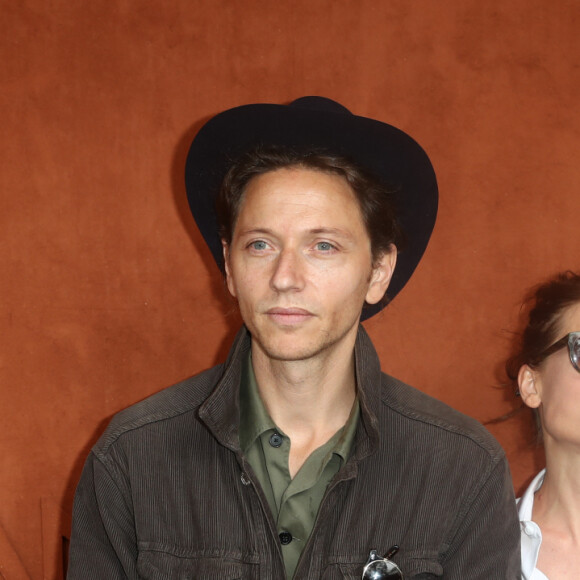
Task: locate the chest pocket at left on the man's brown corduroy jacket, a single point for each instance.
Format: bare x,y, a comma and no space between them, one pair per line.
156,565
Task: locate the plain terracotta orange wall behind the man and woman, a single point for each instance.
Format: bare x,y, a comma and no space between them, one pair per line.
107,291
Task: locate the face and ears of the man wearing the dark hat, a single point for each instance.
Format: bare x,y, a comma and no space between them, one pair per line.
300,264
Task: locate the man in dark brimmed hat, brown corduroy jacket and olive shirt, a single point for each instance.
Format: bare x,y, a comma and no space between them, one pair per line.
298,458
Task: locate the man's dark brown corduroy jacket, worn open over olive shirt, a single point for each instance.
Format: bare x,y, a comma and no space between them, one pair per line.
167,493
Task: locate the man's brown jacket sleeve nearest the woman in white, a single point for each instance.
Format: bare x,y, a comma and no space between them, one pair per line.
487,542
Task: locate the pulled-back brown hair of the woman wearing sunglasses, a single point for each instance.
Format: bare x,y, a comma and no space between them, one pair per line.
545,306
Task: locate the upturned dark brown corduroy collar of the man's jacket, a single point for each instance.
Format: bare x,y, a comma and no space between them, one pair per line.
221,410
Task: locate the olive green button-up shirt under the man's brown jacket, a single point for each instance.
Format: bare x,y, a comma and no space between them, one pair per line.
294,502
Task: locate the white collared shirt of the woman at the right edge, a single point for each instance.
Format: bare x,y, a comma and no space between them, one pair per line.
530,531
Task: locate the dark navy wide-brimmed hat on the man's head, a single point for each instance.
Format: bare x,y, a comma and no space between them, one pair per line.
321,124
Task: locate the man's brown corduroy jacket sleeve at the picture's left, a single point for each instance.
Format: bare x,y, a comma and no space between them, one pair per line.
103,540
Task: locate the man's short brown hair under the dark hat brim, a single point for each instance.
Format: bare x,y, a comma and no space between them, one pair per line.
374,197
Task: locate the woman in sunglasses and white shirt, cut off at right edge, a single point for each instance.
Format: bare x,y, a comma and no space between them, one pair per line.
547,373
